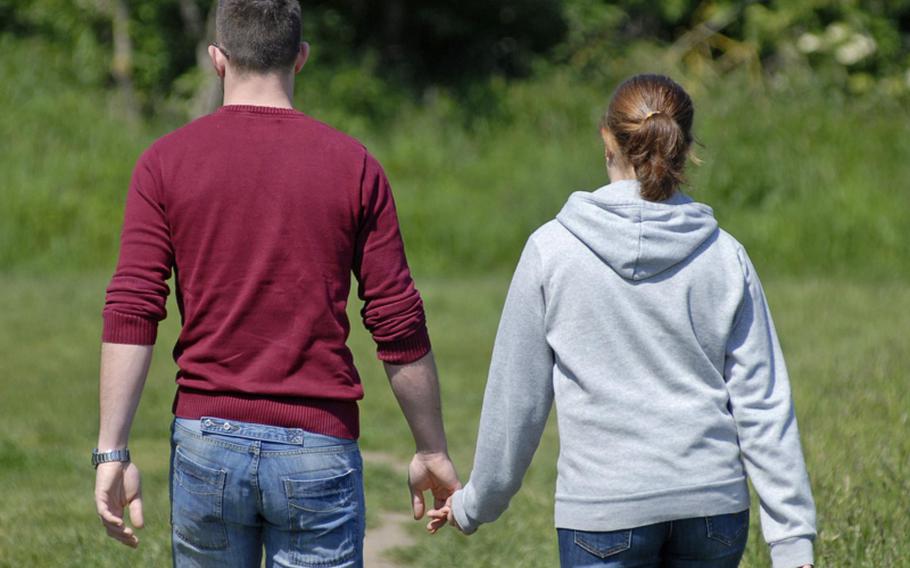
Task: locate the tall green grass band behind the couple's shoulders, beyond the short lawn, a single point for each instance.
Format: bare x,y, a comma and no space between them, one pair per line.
811,182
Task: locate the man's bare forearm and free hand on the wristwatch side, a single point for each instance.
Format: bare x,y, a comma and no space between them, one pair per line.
123,372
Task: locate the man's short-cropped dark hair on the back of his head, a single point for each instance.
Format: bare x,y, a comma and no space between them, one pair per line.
259,36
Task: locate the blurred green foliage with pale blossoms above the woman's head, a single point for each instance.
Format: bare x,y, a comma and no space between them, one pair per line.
852,46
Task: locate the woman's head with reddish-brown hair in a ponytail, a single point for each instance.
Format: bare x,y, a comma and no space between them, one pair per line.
649,124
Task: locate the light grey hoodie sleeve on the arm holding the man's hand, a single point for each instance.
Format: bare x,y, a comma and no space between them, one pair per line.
517,401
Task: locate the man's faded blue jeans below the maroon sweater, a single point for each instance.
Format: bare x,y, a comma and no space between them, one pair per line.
237,487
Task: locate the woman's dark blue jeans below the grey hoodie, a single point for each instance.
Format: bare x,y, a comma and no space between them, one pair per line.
702,542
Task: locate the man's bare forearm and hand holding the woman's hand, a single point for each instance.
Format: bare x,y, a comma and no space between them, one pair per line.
416,387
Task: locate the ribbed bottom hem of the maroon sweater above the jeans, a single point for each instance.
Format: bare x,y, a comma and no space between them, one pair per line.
339,418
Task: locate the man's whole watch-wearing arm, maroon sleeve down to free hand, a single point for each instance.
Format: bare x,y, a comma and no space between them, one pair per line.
135,303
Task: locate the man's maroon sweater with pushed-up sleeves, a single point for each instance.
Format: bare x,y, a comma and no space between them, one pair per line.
263,214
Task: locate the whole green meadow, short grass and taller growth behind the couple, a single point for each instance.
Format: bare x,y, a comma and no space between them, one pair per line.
813,182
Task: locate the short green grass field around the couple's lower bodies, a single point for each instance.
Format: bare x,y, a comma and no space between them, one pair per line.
845,343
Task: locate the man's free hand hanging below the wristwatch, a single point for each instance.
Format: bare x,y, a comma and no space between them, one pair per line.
117,486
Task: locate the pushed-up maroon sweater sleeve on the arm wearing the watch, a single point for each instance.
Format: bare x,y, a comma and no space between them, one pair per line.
137,294
